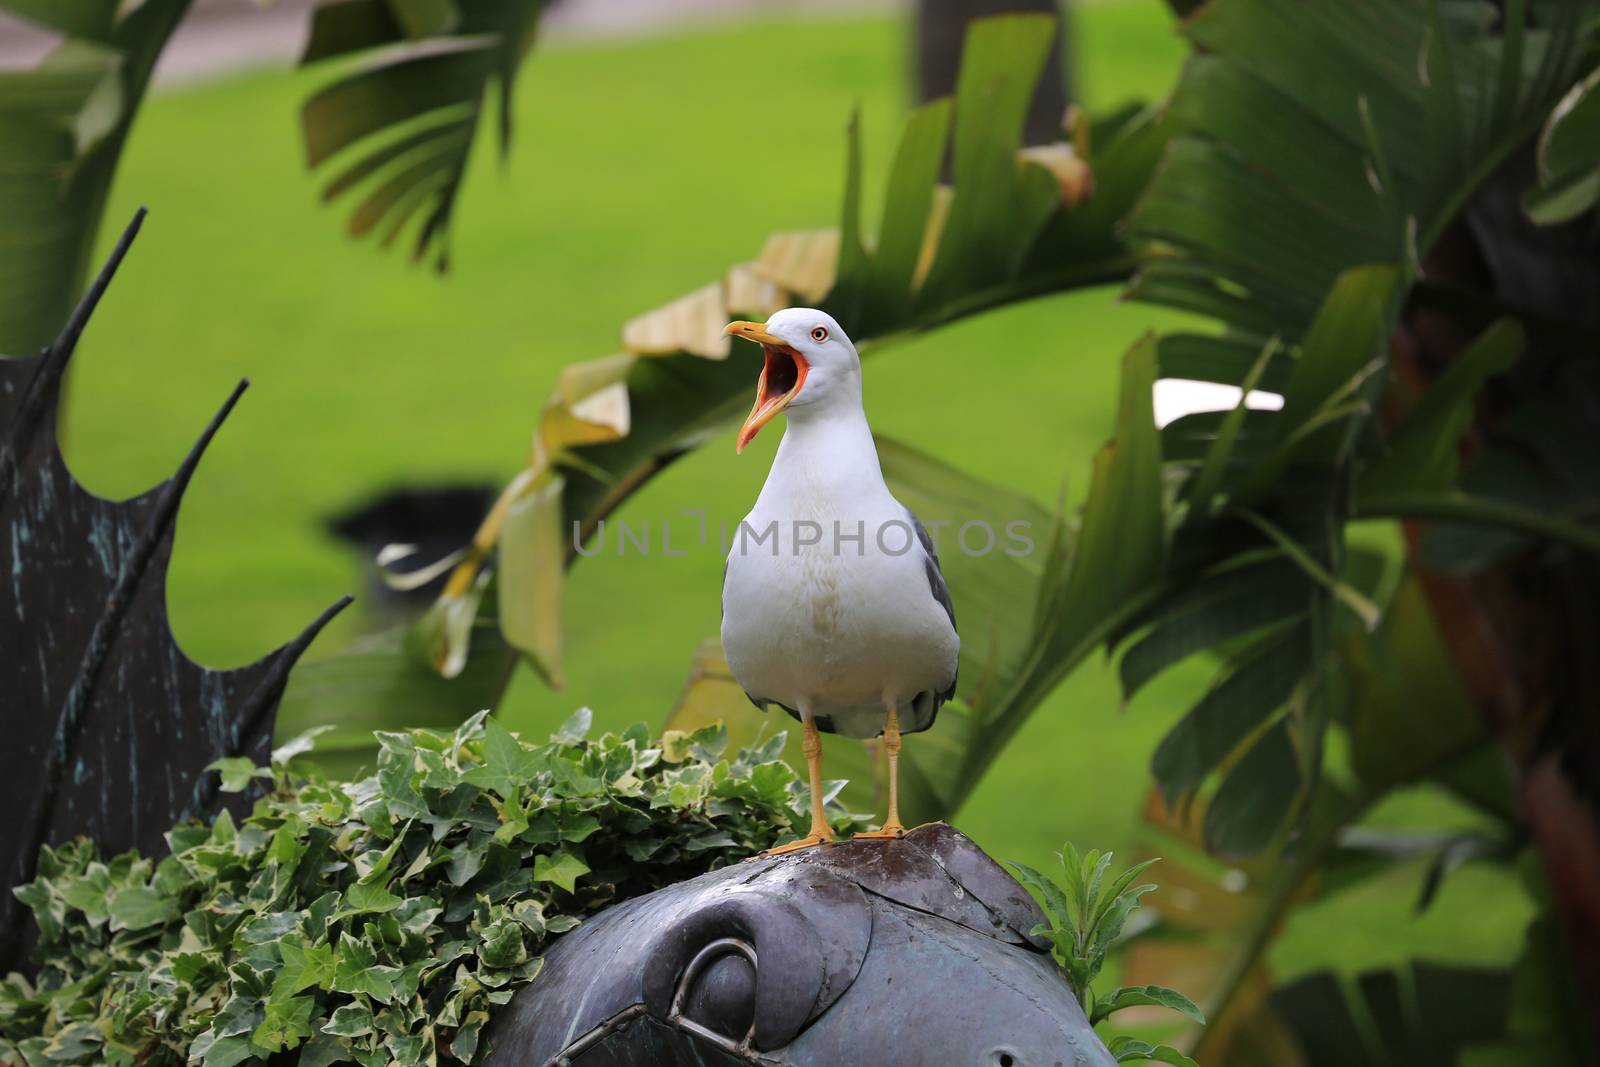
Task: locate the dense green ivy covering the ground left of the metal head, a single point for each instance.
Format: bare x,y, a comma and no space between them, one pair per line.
378,921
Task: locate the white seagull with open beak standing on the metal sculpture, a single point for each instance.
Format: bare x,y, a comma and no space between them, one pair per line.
833,601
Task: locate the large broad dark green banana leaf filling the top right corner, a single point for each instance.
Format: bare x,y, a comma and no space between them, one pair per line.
1316,137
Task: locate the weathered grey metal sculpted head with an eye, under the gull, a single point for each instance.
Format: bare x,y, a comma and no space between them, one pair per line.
892,954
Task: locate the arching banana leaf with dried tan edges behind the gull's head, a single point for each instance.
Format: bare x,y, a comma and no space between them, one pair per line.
1026,223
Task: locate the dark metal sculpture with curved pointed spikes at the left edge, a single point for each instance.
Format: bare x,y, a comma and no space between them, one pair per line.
108,724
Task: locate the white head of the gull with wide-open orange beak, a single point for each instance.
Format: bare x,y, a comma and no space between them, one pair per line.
810,367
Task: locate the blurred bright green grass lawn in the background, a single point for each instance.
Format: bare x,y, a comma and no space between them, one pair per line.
622,193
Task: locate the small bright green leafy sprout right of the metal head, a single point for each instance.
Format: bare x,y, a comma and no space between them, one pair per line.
1086,919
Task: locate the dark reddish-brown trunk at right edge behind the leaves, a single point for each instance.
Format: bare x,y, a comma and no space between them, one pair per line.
1524,629
